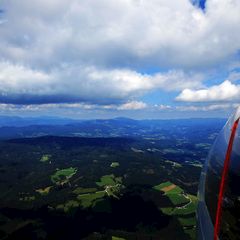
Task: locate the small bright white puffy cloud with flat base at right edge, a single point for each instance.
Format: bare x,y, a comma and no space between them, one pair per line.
226,91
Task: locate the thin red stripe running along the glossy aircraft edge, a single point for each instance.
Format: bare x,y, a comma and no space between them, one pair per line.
223,181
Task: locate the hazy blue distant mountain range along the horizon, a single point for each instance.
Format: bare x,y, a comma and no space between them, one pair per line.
17,127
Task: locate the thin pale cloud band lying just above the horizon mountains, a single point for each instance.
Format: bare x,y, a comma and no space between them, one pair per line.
83,108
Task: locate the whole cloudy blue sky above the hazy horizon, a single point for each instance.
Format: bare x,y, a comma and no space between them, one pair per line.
130,58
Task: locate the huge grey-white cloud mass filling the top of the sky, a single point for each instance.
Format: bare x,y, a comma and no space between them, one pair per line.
122,33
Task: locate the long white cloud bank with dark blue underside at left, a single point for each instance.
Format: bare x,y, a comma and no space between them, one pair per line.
19,84
